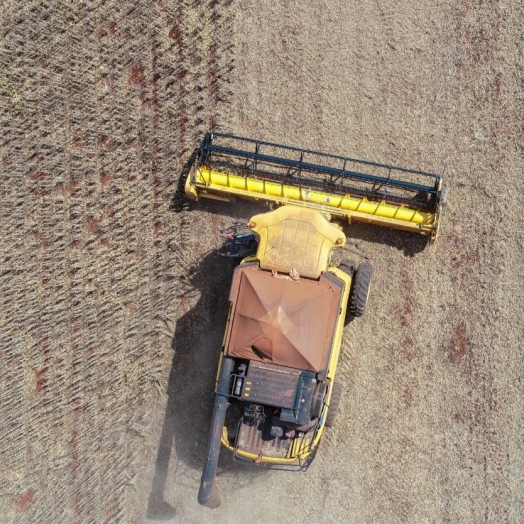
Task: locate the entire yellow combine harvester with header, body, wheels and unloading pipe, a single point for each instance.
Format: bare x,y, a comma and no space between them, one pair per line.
276,389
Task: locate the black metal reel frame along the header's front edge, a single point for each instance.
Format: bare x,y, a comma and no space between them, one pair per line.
391,185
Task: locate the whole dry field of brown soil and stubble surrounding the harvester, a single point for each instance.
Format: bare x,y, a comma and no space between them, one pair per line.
113,302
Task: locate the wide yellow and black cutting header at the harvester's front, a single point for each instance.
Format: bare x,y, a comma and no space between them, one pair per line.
228,167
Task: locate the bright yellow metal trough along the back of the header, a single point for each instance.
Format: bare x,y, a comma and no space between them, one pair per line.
203,182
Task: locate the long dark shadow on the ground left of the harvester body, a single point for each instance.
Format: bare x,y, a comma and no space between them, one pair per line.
190,390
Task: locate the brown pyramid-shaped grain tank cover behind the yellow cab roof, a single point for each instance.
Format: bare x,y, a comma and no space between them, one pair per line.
280,321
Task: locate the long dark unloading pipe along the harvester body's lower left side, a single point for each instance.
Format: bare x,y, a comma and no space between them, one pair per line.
208,494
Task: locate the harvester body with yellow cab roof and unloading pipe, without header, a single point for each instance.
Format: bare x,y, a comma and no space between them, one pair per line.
281,345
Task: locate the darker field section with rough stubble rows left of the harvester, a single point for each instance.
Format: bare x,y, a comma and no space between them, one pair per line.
101,105
